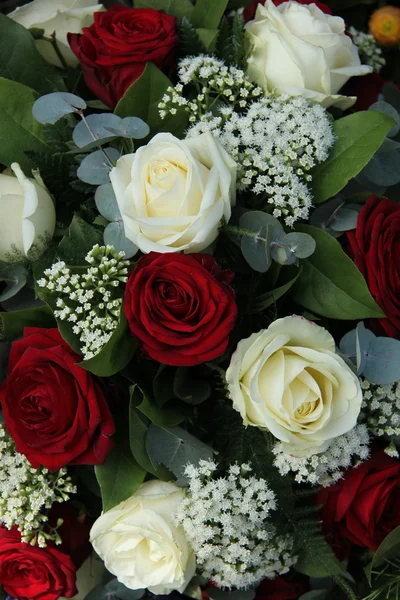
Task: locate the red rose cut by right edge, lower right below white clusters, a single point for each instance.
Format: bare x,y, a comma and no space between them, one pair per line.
364,506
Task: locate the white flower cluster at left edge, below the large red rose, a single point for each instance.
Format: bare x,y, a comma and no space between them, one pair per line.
27,494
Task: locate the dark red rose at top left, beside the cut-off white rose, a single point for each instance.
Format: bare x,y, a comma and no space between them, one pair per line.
114,50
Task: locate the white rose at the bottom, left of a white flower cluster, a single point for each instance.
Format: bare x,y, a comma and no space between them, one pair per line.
140,543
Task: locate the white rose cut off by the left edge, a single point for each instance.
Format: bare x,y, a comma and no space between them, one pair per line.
27,213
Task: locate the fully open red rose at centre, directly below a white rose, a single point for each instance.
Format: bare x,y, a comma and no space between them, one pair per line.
180,308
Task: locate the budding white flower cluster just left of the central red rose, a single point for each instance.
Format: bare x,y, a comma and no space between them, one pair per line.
92,300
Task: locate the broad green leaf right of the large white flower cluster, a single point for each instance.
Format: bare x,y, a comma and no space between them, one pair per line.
358,138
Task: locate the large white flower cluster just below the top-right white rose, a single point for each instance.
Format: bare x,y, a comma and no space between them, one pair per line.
275,144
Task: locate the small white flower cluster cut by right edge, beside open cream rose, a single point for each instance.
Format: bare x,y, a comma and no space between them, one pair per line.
381,411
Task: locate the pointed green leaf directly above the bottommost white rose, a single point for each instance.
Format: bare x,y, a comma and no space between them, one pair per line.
120,475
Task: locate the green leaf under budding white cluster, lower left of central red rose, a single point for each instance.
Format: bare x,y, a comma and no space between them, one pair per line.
116,354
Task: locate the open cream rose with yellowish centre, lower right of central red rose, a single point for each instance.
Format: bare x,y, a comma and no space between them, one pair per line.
289,380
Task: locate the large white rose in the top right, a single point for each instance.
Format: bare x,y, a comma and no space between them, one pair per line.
299,50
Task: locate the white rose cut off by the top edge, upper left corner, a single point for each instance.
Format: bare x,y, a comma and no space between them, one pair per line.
61,17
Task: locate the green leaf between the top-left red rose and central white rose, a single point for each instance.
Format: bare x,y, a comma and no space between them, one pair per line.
142,99
